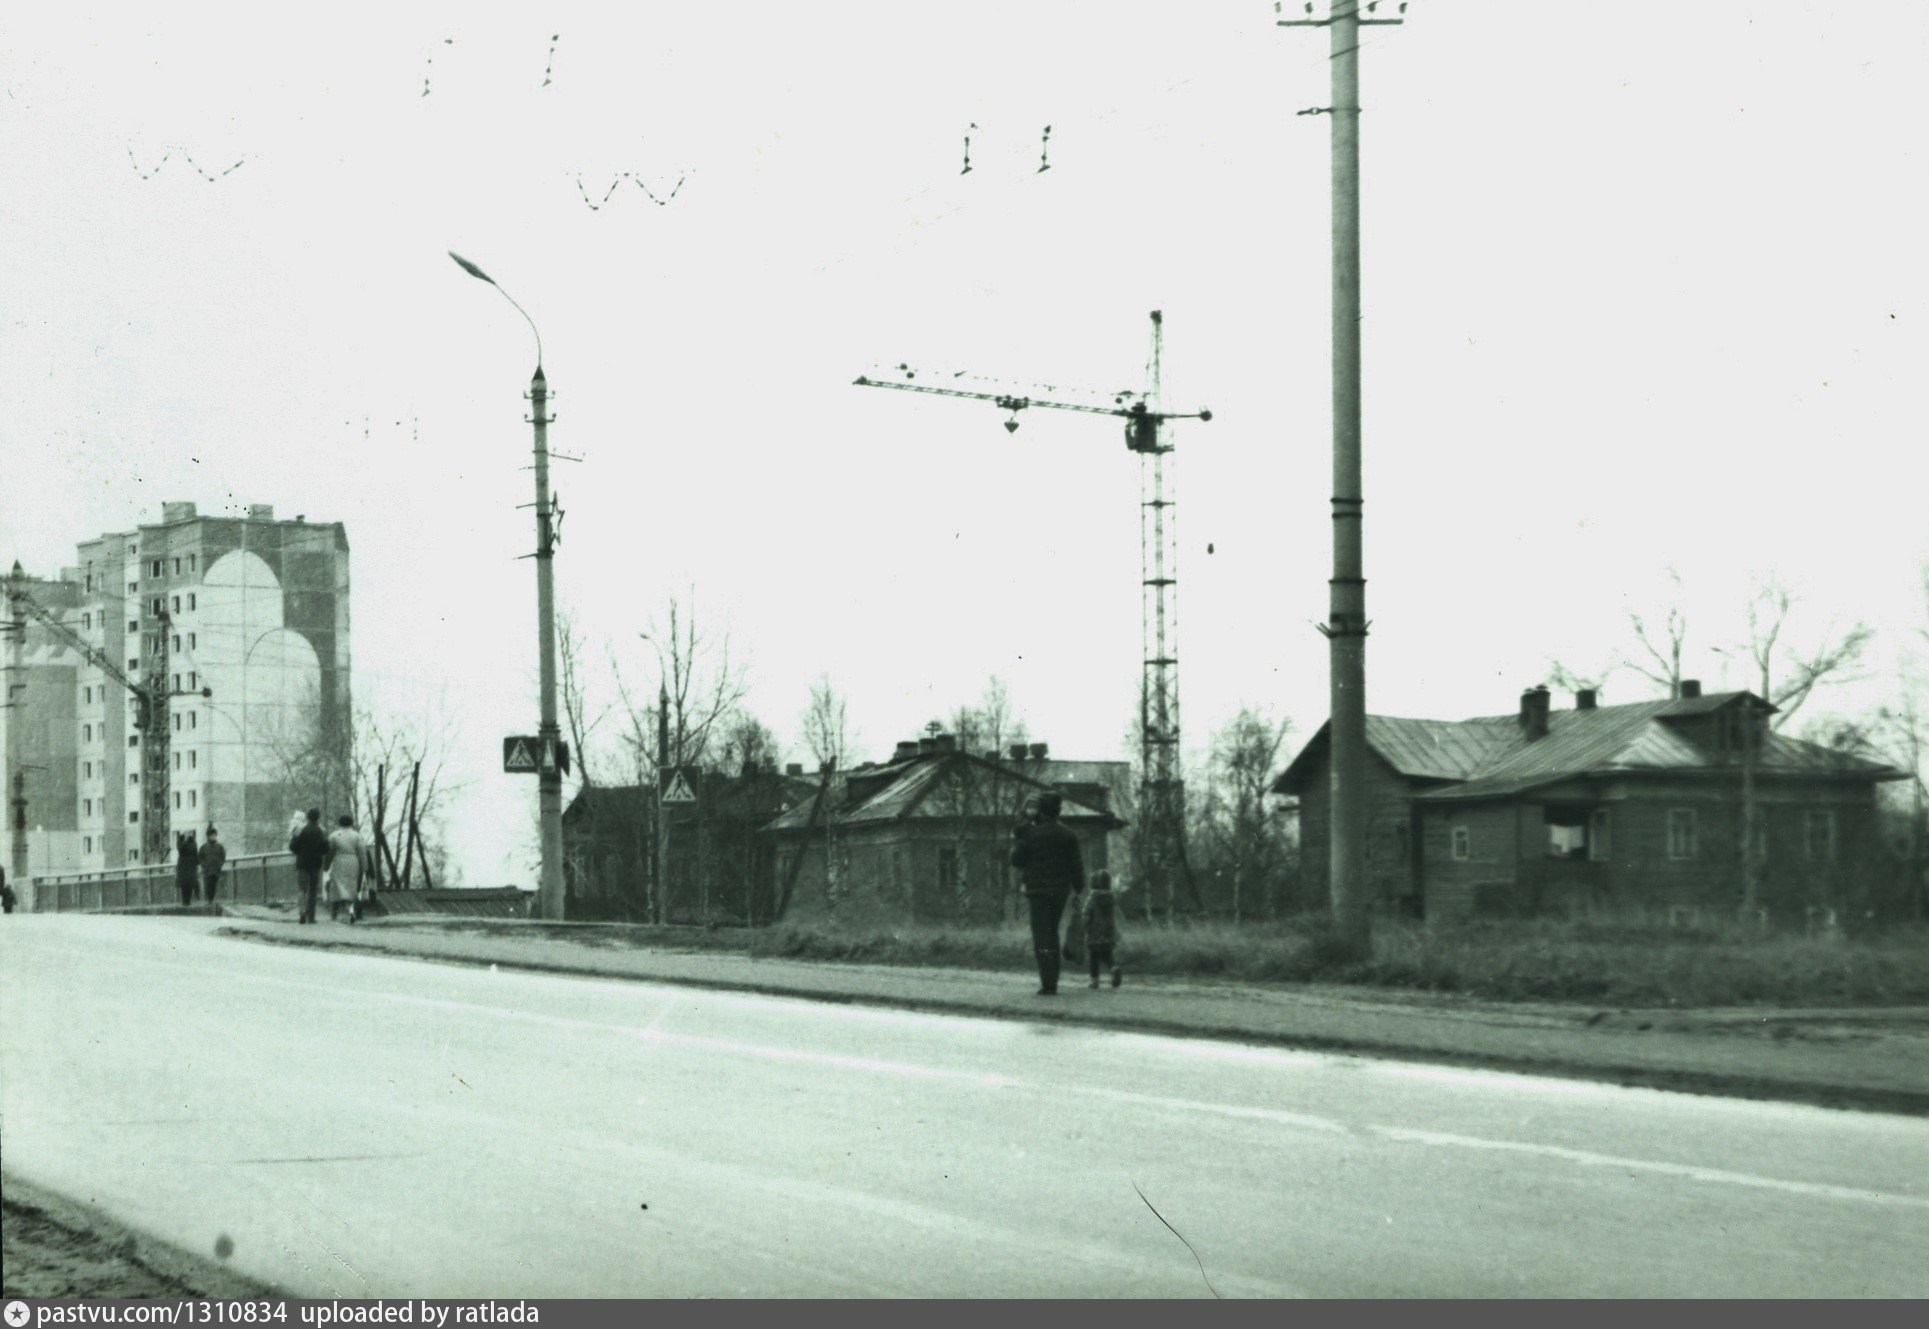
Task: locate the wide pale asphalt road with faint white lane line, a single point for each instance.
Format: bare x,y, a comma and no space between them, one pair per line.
373,1127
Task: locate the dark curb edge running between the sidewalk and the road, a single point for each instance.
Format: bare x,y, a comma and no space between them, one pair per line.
1623,1075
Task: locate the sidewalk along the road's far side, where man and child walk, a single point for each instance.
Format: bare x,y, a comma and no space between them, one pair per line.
1859,1058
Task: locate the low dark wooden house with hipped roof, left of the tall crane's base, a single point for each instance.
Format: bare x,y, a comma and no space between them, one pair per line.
927,836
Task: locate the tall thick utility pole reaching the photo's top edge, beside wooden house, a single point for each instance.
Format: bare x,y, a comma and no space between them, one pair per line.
1347,622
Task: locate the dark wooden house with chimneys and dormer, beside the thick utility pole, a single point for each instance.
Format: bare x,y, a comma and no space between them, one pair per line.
1633,807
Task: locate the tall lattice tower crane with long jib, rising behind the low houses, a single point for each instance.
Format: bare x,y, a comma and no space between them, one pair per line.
1160,842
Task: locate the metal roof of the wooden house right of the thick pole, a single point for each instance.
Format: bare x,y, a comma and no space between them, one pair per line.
1492,757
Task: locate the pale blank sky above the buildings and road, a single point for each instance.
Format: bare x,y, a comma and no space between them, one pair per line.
1644,290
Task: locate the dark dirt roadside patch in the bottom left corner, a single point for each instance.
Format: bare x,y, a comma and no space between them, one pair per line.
53,1249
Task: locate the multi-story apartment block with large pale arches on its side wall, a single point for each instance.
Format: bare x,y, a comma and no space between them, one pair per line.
236,634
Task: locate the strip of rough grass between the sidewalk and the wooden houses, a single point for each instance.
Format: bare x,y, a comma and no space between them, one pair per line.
1617,965
